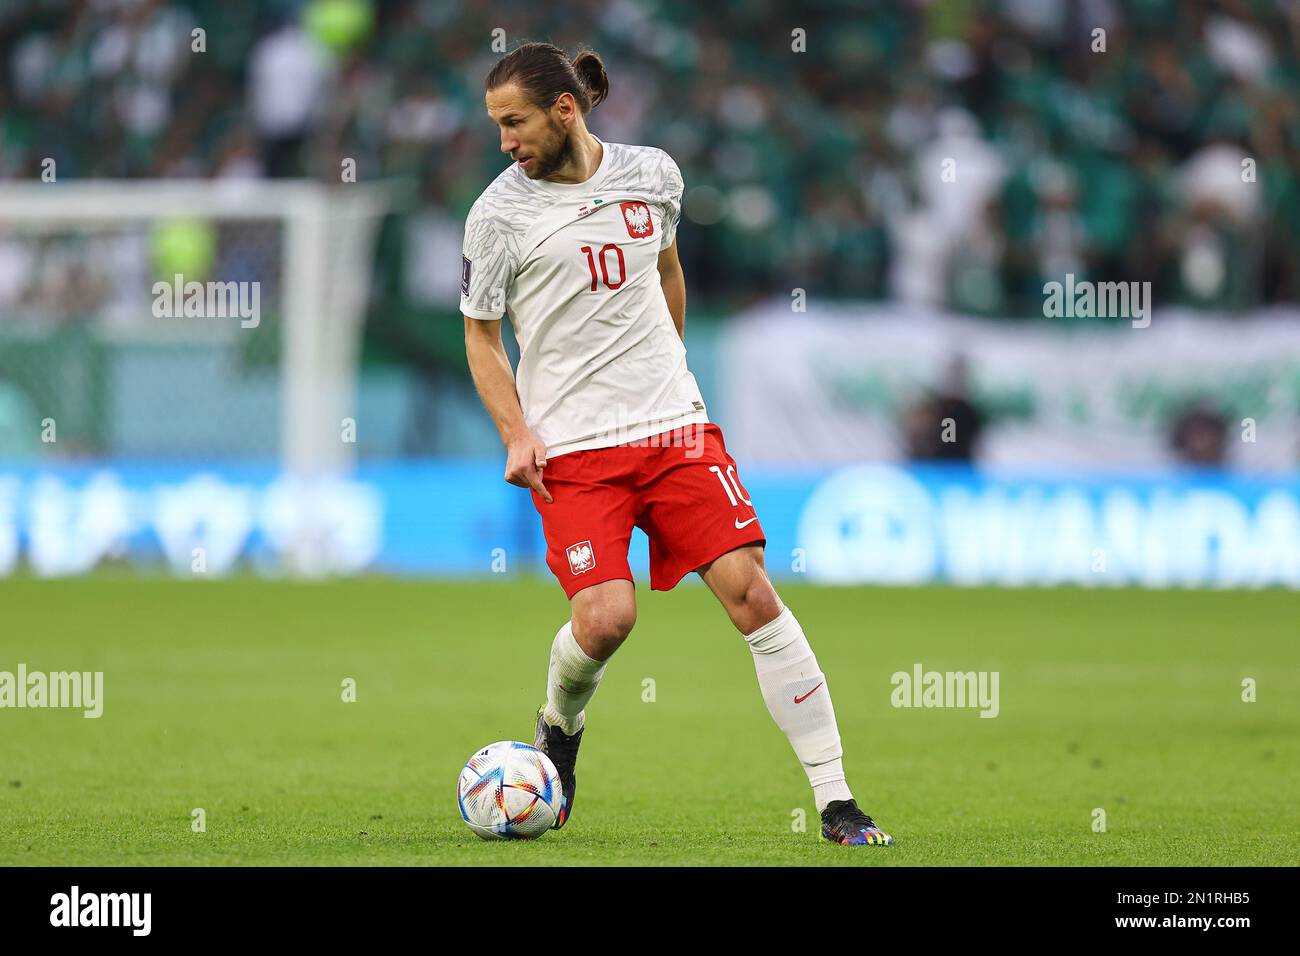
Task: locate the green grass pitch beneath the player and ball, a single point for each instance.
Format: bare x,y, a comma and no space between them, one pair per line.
228,697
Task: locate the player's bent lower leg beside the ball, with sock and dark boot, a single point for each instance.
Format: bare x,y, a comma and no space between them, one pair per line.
603,618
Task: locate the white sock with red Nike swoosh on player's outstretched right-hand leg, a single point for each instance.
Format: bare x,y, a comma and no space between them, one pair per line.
800,702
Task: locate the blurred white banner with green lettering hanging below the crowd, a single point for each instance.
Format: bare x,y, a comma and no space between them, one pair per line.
834,386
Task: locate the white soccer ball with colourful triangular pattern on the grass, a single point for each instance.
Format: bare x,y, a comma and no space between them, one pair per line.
510,791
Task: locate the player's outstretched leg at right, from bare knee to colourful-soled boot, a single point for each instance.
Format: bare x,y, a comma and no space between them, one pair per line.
794,687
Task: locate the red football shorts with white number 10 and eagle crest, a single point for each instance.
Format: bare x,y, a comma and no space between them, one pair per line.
681,488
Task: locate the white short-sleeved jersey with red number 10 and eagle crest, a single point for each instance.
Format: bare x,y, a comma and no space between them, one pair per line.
577,269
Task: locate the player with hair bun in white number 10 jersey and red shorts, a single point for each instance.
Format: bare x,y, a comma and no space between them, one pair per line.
577,240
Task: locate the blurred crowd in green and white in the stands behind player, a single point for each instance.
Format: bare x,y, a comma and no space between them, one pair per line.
957,153
